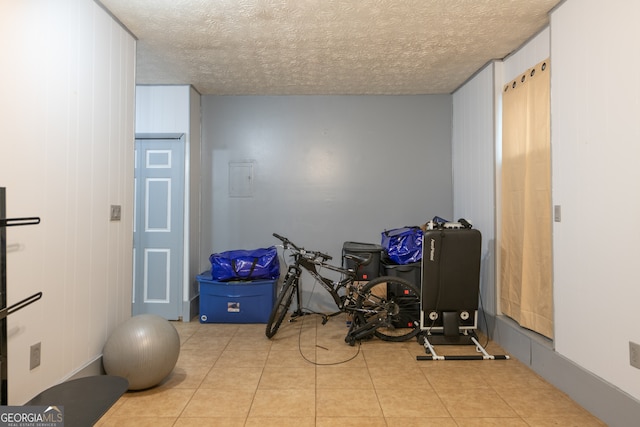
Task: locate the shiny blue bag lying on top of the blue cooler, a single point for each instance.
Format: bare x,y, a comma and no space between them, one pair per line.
256,264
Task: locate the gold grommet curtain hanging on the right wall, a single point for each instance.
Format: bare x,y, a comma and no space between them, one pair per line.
526,293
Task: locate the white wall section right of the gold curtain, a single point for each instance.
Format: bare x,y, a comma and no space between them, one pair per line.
595,134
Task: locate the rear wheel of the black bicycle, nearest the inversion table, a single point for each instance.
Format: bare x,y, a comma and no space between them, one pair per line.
393,301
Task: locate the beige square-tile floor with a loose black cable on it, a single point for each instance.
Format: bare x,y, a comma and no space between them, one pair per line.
232,375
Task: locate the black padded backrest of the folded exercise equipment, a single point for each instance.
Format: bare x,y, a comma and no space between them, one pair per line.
450,280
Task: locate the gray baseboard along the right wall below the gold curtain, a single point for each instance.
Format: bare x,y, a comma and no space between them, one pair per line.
602,399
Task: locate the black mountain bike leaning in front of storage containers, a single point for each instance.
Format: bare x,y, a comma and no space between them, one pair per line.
386,307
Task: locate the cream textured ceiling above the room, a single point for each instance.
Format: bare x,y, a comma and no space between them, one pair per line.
285,47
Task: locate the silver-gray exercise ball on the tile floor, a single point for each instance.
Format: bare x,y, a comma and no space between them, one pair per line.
143,349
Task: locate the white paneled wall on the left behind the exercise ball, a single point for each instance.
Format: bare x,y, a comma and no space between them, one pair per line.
66,113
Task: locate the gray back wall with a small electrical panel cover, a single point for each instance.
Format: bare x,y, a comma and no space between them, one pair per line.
327,169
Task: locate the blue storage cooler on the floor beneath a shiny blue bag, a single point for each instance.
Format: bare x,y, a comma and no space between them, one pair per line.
235,302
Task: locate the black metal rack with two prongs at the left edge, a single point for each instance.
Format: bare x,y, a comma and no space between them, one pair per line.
5,311
